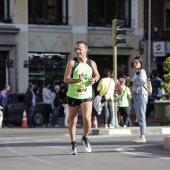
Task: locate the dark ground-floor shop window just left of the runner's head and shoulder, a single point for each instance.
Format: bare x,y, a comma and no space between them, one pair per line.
46,68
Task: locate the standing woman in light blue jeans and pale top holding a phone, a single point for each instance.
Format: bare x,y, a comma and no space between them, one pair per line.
140,93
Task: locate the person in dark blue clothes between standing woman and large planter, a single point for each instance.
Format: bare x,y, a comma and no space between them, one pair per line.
157,91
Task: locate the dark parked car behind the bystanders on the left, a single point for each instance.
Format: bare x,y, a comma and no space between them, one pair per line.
15,111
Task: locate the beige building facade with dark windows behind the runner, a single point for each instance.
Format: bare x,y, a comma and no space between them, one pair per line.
38,37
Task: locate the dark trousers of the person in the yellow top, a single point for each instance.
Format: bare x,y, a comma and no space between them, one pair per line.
108,107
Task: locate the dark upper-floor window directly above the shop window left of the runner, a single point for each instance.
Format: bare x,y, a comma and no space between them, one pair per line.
48,12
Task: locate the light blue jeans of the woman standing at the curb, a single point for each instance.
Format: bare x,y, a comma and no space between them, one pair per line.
140,103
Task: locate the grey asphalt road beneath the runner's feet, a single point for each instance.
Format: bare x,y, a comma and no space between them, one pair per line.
47,149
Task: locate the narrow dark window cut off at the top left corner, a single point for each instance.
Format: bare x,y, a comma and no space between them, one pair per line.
5,11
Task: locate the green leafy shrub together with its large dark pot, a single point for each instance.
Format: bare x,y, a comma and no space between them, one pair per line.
162,107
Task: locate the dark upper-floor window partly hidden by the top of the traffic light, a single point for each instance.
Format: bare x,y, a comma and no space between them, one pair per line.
102,12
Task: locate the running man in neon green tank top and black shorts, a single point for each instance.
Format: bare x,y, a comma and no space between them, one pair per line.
81,73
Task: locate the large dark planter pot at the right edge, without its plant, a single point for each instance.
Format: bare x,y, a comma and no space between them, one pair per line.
162,111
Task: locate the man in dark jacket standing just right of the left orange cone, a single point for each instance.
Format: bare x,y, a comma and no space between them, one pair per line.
29,100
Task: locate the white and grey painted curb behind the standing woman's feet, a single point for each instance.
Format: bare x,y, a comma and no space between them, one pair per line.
129,131
